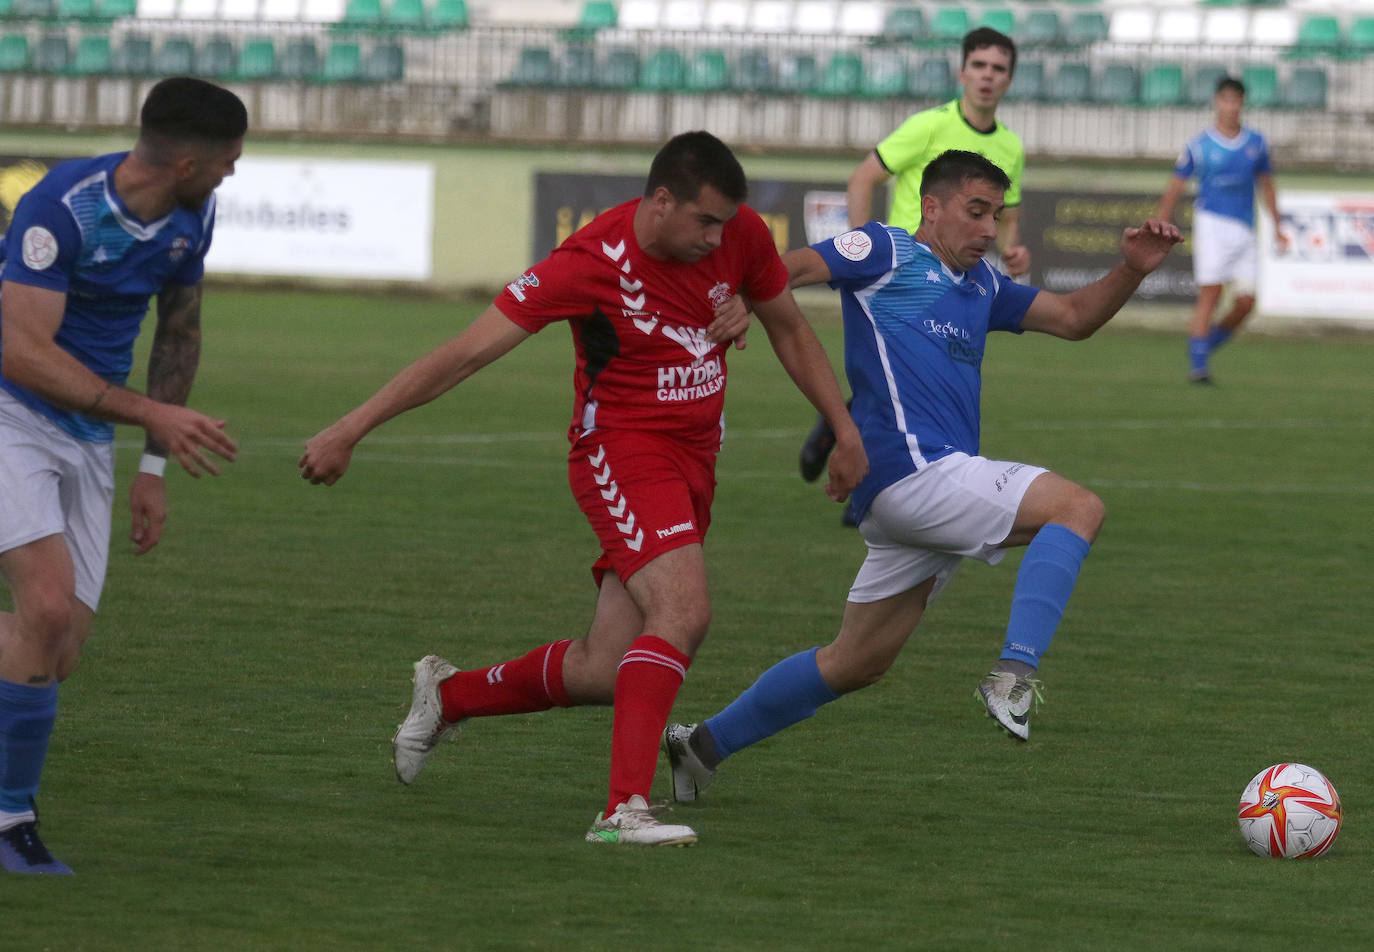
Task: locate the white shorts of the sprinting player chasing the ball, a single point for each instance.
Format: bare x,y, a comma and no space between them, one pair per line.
923,527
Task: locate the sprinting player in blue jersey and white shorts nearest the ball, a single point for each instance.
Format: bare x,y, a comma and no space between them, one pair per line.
917,314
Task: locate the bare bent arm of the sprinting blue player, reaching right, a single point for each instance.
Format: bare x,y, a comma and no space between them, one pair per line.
1079,315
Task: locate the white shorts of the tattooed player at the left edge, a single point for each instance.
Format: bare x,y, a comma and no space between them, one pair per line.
53,484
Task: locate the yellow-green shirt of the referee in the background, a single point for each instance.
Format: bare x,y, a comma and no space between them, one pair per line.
919,141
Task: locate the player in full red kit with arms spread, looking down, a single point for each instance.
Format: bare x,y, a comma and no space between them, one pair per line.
641,288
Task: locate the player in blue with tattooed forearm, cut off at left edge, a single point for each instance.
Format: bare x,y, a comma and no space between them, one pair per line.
87,249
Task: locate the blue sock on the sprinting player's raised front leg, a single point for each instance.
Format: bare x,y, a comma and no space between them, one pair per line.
1045,585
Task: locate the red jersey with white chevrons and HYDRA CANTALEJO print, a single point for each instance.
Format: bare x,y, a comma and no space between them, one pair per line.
640,324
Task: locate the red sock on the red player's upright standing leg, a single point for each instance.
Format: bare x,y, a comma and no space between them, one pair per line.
646,686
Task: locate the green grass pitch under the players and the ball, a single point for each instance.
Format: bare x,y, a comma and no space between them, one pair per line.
221,771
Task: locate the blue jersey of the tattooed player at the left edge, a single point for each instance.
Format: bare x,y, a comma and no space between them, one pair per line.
72,234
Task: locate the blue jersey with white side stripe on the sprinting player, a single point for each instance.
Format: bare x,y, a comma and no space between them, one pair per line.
914,341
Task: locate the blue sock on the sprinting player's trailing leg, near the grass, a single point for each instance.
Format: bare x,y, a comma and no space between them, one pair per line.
788,693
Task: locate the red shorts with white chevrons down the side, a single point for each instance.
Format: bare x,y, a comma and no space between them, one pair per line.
644,497
